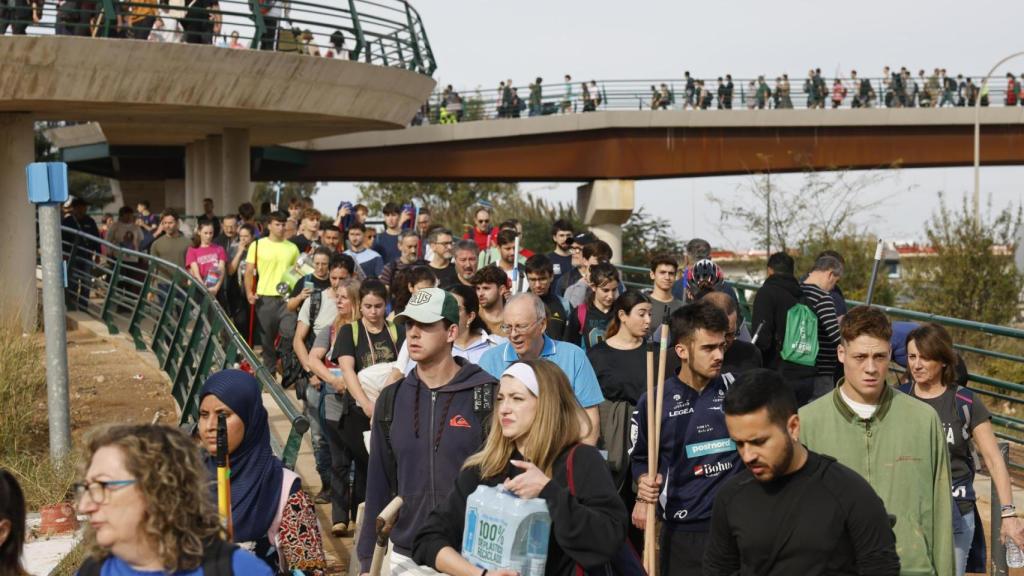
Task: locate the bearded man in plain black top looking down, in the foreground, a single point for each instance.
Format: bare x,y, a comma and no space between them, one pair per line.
792,511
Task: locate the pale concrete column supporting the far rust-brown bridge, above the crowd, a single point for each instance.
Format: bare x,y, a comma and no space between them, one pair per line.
606,205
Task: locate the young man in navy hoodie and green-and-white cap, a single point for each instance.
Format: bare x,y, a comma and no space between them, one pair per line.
439,418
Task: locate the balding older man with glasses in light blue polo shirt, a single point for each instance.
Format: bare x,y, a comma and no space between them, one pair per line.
526,319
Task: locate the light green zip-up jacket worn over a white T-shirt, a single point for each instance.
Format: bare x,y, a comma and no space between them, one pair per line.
902,452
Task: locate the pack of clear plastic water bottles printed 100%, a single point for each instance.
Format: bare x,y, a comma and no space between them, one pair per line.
504,531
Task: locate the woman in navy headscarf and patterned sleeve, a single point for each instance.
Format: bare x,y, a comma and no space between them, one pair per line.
269,508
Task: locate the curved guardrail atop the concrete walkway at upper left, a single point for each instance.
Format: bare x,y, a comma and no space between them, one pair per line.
378,32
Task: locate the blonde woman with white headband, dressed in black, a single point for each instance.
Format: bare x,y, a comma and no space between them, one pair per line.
534,440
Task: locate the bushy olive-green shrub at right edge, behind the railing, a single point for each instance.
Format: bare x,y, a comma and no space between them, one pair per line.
972,275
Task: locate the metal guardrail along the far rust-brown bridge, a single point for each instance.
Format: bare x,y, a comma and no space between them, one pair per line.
560,98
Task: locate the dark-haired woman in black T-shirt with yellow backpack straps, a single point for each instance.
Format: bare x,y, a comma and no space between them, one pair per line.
365,343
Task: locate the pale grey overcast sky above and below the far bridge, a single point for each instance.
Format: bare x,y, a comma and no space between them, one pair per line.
481,43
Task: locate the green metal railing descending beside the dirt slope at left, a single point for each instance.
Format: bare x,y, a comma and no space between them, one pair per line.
166,311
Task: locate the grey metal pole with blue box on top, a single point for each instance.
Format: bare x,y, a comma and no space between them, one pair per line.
49,190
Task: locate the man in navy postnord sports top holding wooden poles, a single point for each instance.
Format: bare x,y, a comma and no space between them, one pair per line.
696,454
